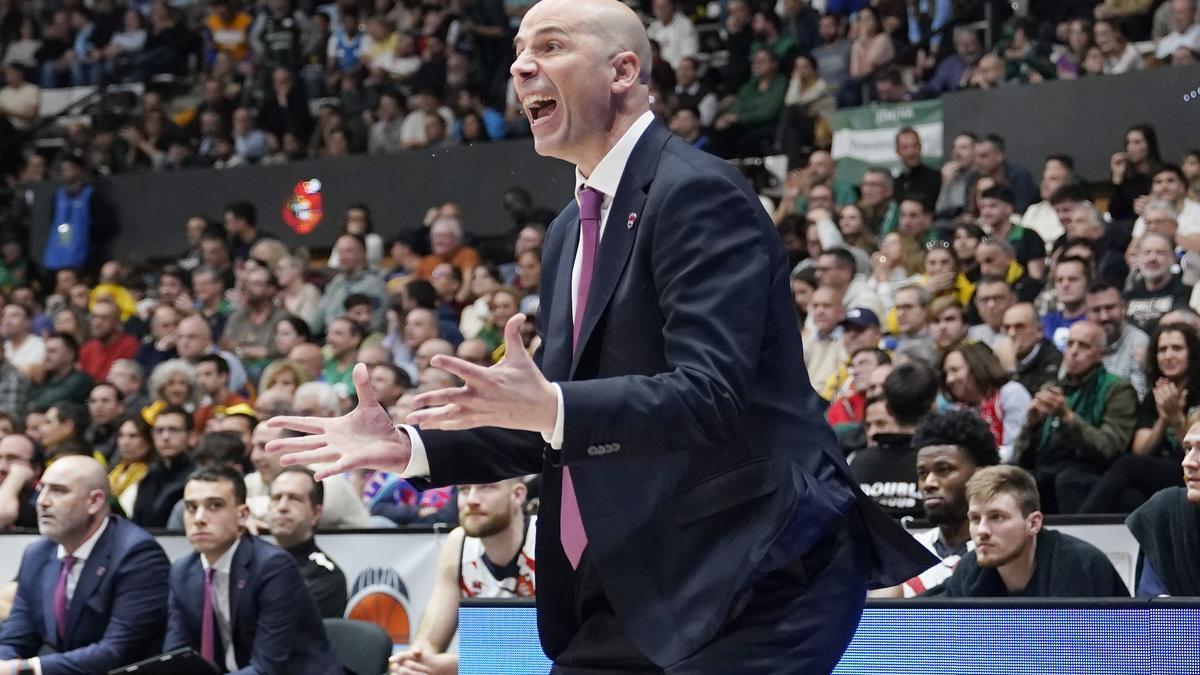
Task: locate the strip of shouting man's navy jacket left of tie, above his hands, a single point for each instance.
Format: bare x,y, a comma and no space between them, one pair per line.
557,355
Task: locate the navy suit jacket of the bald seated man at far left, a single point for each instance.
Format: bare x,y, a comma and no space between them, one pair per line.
117,613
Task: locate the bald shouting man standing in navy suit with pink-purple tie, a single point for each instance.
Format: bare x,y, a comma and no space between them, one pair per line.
697,513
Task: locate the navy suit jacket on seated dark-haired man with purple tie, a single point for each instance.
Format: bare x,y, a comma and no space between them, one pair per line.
277,628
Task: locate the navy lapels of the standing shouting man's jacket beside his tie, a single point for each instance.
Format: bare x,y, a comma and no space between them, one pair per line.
619,238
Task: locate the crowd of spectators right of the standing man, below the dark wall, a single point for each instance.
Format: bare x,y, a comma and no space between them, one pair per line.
1063,313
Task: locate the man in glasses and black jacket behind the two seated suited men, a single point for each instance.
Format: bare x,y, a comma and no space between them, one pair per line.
164,485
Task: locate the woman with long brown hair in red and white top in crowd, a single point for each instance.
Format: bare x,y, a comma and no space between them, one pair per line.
974,379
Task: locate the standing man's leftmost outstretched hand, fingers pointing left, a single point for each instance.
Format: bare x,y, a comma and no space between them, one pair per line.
363,439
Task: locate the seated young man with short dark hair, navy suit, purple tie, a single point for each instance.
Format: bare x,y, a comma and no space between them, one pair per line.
239,601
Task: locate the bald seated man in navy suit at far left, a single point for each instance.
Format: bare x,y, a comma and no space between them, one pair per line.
94,590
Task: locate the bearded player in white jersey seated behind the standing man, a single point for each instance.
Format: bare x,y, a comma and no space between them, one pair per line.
490,555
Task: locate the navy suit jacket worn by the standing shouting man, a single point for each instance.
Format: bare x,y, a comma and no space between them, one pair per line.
699,453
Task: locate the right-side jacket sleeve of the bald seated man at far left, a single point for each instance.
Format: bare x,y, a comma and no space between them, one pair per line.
140,606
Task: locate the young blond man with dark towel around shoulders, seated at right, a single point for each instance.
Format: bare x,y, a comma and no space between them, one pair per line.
1016,557
